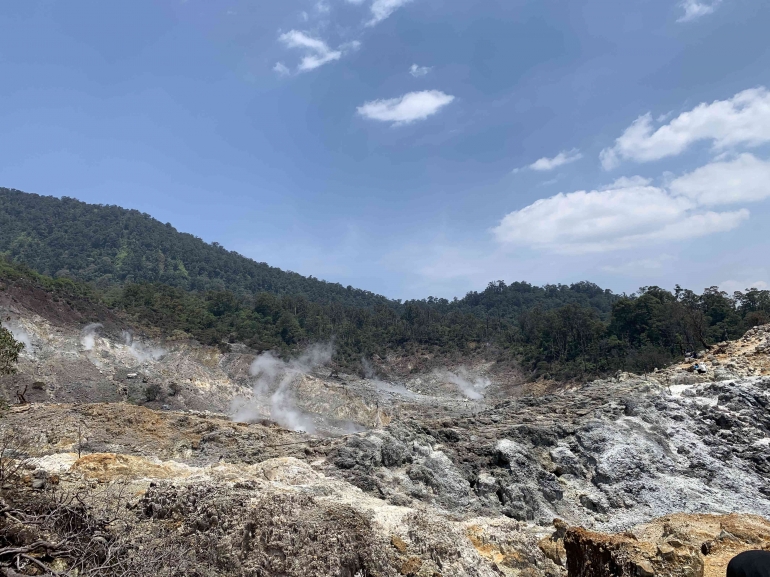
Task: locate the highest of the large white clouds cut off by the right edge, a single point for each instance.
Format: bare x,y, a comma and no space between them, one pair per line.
744,119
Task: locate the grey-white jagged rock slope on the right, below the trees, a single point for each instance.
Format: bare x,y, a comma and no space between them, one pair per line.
609,455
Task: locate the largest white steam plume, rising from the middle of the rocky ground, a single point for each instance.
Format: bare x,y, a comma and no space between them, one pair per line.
276,375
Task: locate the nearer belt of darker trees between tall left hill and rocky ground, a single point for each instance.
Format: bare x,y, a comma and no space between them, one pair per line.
553,334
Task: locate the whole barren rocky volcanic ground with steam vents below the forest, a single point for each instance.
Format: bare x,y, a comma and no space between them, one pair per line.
459,471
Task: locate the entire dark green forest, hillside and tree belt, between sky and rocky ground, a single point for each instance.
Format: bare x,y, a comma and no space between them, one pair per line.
557,331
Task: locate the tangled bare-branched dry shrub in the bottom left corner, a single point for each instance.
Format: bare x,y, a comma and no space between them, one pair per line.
80,531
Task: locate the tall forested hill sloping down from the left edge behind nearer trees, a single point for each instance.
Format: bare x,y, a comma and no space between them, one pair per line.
109,245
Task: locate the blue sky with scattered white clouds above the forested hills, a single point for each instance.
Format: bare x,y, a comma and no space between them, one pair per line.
411,147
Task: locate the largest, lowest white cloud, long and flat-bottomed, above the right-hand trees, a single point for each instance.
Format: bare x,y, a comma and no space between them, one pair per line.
611,219
